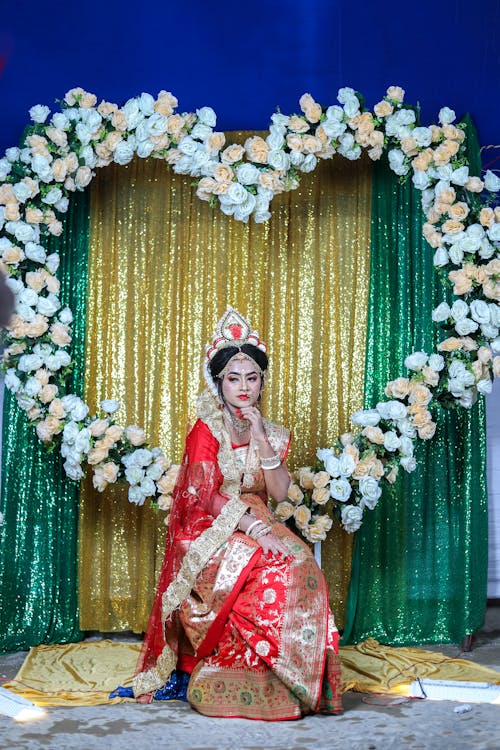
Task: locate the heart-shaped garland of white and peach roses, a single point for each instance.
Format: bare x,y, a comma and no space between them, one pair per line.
58,157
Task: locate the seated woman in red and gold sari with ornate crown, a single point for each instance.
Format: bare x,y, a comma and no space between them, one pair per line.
241,605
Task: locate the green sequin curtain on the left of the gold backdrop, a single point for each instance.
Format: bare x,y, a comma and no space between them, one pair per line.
38,539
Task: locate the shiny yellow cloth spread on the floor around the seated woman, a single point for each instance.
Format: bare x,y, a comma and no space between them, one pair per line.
83,674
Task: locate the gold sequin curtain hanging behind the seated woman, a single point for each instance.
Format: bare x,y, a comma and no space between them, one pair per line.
163,268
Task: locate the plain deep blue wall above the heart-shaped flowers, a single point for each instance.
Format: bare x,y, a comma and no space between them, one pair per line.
244,59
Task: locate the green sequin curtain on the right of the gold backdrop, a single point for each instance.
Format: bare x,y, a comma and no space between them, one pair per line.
420,559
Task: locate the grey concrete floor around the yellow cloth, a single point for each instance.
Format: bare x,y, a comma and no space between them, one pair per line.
413,725
